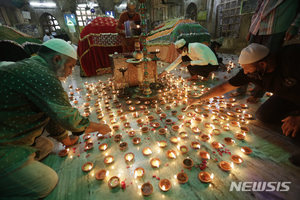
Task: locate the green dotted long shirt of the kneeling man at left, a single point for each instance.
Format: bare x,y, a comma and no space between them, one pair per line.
31,94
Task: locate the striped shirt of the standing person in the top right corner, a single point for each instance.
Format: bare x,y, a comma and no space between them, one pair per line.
275,16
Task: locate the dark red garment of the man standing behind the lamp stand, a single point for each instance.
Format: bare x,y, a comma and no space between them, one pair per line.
127,43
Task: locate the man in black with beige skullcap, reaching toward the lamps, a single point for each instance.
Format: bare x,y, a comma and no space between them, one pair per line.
279,74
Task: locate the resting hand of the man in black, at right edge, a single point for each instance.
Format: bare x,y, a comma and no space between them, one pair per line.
291,124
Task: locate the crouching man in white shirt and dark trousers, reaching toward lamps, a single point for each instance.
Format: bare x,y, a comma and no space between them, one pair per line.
197,57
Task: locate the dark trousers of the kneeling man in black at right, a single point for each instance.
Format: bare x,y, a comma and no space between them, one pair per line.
276,109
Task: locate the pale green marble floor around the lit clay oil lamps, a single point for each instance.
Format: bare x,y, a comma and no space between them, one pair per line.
268,162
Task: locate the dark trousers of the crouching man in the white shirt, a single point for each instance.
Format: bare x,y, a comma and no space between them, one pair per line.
202,70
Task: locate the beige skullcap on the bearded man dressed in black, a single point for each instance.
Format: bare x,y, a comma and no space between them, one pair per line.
253,53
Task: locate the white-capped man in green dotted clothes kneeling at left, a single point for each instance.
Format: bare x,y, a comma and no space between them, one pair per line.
32,99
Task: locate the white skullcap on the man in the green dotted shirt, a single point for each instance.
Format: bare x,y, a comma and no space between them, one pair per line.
62,47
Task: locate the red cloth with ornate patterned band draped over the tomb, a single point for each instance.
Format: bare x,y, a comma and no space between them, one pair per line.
97,40
